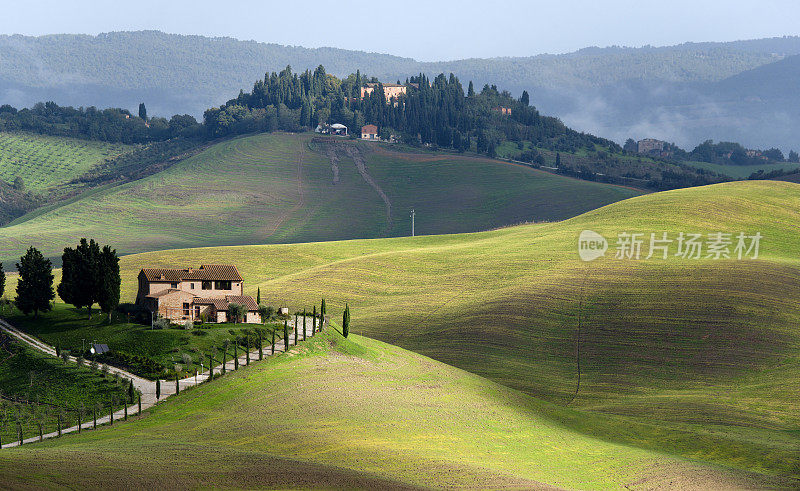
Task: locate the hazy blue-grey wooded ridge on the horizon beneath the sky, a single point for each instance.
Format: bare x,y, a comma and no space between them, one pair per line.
608,91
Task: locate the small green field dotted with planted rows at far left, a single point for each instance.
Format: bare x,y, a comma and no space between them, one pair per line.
44,162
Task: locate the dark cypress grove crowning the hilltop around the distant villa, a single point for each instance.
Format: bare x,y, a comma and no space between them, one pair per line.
432,112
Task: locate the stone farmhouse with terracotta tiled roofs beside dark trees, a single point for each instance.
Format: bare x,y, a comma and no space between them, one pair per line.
195,293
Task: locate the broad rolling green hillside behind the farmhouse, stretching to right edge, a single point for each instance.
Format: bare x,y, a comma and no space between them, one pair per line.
697,357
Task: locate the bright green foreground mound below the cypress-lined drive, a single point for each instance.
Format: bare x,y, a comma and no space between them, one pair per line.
351,413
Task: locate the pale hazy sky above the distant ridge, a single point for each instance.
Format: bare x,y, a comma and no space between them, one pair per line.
425,30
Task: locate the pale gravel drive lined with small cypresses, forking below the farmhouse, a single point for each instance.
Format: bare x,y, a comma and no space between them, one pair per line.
146,387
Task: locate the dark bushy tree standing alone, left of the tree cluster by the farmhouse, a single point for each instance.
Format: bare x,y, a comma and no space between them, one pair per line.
35,286
